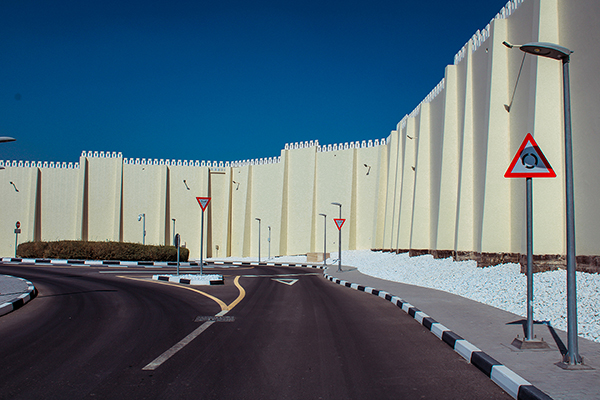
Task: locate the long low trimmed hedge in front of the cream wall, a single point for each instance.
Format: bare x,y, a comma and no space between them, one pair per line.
79,250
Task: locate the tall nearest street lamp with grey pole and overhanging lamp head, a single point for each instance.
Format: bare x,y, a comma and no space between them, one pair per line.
560,53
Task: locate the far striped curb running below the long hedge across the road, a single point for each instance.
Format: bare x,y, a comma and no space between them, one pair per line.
150,264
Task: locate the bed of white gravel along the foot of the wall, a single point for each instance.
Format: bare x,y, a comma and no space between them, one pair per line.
501,286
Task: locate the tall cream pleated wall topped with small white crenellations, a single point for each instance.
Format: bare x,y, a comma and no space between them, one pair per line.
459,140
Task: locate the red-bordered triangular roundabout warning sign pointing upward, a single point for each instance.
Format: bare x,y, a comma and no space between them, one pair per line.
529,162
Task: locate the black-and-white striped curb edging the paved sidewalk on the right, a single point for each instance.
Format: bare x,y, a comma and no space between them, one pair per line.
509,381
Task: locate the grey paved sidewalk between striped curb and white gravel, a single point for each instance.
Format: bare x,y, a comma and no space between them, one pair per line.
492,330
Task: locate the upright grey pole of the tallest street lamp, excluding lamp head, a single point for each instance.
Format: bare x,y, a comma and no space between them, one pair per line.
572,356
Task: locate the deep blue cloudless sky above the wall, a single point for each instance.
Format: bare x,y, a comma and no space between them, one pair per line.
217,80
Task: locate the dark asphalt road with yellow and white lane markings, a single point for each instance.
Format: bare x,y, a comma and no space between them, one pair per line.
289,334
